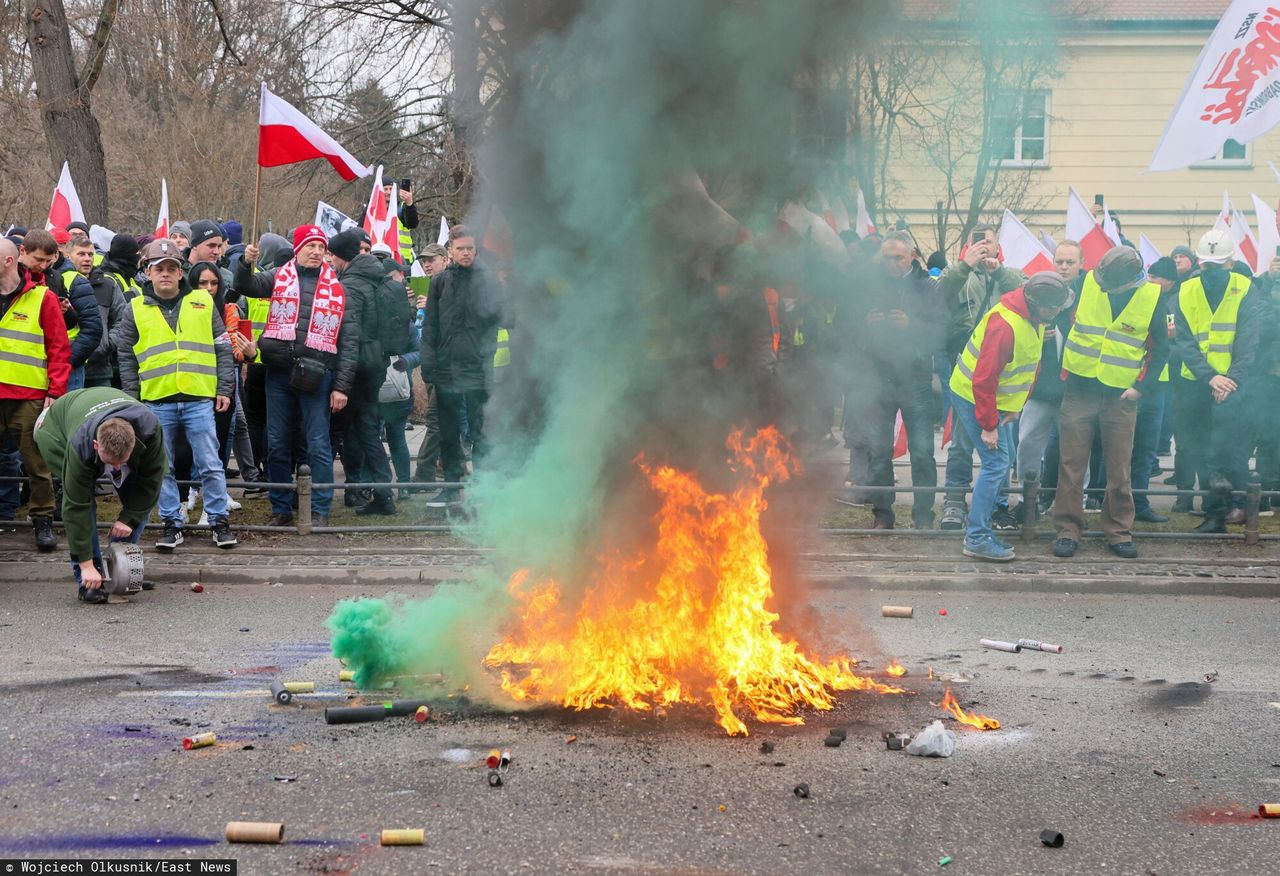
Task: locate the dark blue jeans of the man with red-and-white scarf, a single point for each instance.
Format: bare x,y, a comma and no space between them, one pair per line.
286,409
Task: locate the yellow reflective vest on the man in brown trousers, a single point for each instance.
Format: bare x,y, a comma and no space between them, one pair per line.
1110,349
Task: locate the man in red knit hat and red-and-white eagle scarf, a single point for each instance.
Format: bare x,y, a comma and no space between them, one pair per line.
310,352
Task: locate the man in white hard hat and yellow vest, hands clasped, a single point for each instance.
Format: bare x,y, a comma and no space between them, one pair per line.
1219,334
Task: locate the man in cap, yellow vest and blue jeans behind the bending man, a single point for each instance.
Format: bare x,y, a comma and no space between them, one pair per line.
175,357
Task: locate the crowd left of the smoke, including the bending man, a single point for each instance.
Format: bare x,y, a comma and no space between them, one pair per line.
161,361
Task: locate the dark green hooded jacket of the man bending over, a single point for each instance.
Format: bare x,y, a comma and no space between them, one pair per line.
66,440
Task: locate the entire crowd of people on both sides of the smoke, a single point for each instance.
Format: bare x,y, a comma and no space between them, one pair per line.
161,361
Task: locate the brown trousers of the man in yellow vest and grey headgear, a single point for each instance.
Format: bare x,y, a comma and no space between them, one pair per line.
1086,413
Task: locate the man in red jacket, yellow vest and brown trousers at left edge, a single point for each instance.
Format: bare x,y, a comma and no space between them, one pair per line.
35,364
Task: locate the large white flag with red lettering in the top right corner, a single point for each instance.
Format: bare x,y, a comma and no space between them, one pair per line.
1235,89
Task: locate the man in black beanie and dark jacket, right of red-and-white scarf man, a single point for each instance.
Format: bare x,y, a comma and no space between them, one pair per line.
362,276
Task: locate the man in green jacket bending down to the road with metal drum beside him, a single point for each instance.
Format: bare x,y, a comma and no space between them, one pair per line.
102,434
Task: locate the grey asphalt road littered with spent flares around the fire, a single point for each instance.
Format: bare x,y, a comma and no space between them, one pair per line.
1118,743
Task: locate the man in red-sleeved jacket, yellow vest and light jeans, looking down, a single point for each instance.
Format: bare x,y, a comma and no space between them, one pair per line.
993,378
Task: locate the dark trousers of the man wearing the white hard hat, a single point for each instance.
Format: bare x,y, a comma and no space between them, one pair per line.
1218,437
